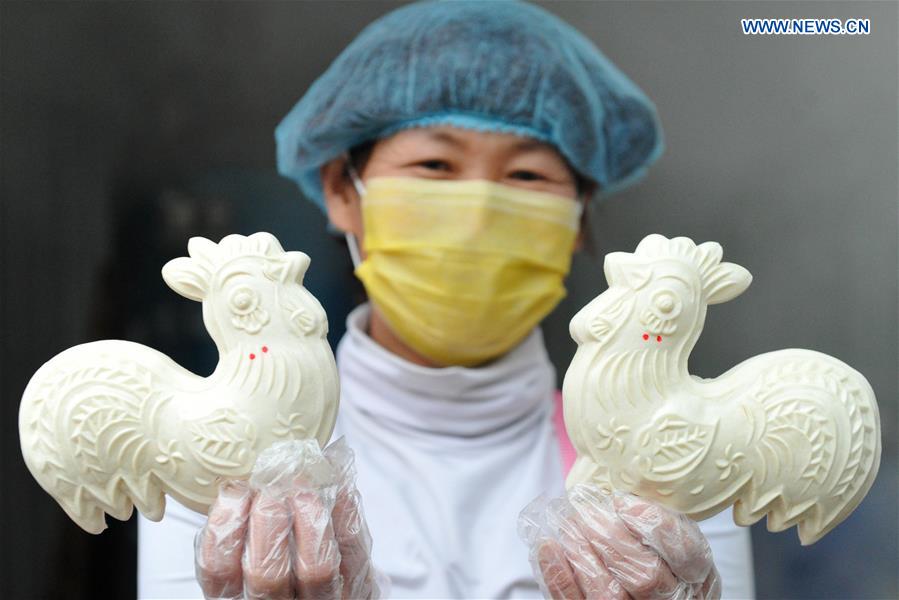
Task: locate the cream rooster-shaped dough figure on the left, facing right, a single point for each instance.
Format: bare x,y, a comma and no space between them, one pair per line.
110,423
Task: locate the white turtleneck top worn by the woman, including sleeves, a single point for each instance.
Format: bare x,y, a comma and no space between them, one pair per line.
446,458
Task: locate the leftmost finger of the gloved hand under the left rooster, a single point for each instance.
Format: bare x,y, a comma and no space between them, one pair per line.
220,543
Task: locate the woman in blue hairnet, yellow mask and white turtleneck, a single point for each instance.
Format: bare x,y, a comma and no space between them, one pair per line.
457,145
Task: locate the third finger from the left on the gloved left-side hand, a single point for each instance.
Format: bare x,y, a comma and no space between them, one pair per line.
317,560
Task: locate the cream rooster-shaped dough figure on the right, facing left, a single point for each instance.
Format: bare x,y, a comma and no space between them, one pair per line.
793,433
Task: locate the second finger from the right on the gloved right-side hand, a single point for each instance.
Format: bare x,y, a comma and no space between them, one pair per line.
639,569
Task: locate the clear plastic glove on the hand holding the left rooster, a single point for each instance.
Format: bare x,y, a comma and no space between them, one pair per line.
294,530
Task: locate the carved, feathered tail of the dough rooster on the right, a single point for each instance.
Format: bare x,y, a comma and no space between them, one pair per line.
820,427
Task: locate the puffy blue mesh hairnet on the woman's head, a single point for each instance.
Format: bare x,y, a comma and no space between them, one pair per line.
504,66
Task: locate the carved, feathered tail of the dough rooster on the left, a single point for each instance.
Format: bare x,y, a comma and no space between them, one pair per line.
79,424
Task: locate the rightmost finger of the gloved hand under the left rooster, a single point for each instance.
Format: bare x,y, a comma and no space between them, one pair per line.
354,543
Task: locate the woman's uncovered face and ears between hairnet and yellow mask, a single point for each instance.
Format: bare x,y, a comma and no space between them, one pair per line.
448,152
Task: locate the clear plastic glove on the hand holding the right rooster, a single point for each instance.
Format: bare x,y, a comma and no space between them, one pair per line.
592,544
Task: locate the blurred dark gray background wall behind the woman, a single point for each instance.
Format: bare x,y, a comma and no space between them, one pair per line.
126,128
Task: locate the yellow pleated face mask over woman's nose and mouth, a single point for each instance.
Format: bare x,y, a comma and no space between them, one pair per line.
463,270
